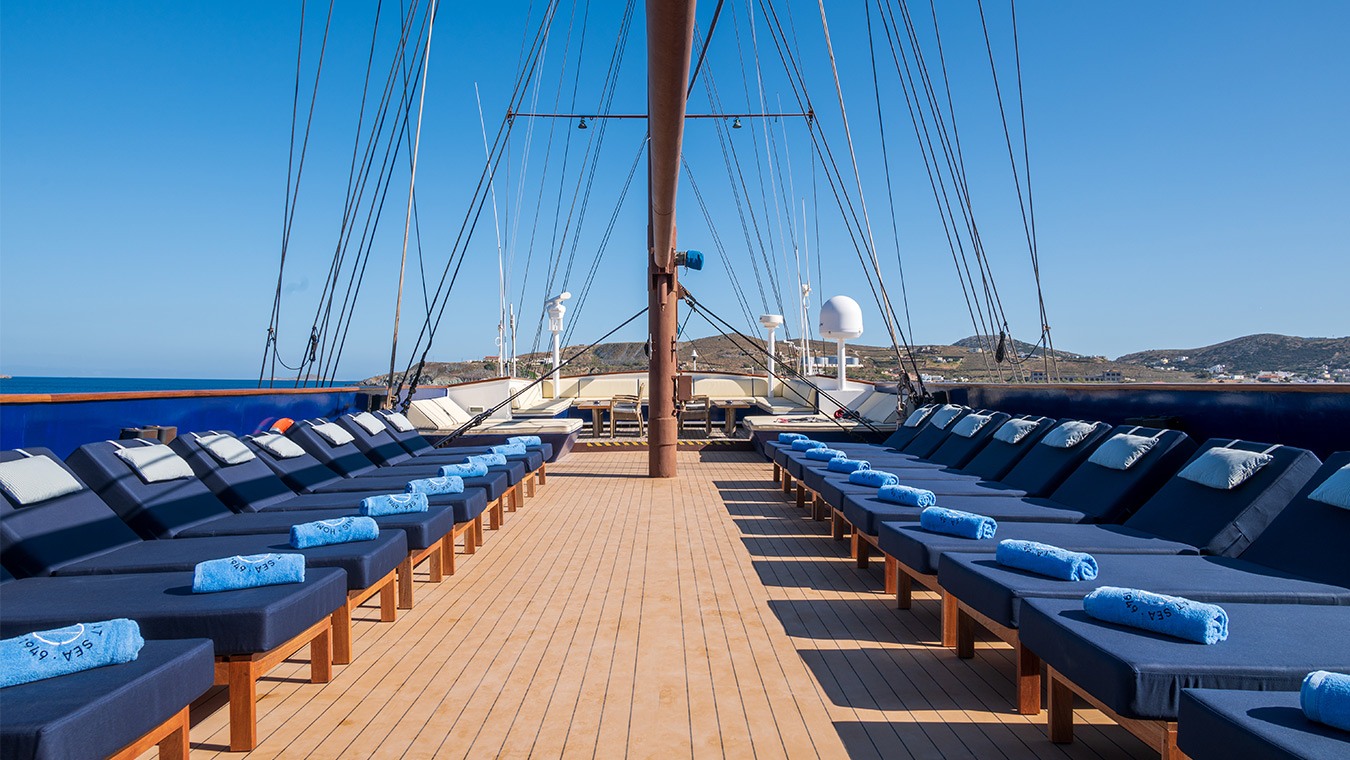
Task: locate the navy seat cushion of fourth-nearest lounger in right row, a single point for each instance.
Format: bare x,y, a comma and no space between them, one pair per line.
920,550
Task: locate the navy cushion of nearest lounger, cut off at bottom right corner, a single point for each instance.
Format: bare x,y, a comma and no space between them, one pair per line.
1267,726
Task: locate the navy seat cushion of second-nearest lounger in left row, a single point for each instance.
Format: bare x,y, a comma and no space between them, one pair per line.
240,623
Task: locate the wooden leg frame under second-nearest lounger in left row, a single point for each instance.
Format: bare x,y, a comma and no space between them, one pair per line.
241,673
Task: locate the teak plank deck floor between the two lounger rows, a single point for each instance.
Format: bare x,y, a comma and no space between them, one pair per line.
622,616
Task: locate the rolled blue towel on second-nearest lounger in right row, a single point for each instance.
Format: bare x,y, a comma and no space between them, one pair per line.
1175,616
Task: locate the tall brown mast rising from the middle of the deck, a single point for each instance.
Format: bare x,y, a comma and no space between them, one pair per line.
670,40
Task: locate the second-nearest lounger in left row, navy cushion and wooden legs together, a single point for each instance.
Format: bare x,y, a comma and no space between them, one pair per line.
253,630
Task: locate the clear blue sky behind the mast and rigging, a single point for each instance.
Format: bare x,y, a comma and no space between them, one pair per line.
1190,165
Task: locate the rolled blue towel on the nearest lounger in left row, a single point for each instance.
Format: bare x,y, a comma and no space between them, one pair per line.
82,647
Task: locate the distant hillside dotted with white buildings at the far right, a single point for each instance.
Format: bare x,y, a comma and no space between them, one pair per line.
1255,354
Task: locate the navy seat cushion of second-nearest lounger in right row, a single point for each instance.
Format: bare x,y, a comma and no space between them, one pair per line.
1141,674
